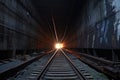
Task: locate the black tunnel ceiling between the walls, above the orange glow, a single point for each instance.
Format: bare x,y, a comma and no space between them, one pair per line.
64,13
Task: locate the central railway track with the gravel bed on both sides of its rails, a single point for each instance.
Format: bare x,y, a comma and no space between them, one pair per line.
59,66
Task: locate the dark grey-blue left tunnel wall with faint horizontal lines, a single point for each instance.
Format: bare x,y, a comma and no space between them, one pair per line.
18,27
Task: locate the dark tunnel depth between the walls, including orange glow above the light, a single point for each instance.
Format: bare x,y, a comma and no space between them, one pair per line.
63,15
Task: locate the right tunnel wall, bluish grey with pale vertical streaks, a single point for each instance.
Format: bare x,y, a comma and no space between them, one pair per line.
99,25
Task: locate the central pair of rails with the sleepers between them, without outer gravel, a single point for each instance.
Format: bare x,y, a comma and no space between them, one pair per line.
60,67
